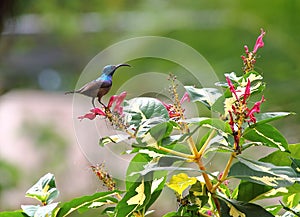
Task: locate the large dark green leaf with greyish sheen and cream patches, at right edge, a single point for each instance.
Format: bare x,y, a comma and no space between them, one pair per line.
263,173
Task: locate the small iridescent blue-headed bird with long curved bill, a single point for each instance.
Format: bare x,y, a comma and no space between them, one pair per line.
101,86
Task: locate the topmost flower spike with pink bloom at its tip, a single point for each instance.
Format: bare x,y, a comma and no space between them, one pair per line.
250,59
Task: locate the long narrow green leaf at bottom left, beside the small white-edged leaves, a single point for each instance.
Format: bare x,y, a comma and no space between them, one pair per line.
87,202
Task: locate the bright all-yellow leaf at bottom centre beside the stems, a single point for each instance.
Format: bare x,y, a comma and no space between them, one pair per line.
180,182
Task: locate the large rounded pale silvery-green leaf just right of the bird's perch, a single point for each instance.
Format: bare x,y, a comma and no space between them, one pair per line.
141,109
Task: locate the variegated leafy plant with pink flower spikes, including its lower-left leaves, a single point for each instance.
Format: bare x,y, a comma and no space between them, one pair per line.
163,139
